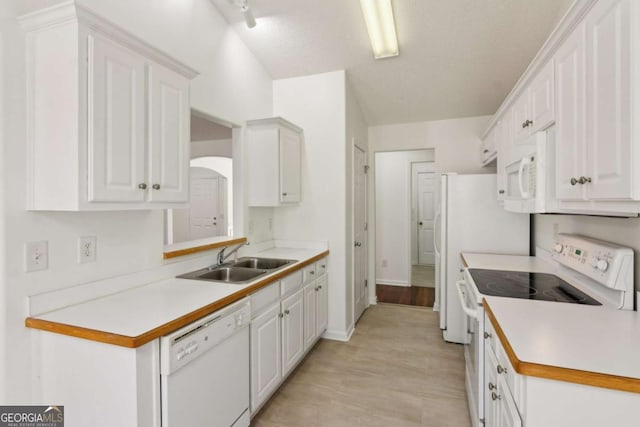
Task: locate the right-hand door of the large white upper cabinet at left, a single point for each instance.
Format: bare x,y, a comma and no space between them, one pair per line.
170,136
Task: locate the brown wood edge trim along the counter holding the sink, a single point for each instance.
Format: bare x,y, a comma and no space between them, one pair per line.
164,329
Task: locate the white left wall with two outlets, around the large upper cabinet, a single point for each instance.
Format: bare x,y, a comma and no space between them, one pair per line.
232,85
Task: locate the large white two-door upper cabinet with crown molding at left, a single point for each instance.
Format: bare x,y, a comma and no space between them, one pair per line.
108,116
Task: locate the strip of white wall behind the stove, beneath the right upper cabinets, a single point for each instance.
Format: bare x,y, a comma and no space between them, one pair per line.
624,231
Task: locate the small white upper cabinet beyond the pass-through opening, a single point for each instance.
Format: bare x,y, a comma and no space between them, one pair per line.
273,158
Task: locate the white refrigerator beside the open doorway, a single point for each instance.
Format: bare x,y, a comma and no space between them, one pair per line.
470,219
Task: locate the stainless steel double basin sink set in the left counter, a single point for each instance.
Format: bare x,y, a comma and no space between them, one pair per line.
242,271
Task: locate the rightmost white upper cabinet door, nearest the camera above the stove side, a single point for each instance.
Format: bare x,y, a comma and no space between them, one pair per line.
609,100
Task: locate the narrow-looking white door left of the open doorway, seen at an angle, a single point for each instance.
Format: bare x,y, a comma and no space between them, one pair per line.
360,232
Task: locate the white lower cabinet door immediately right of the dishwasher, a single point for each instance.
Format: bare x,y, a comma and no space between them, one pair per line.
266,360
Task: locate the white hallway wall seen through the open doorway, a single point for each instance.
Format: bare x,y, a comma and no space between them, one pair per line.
393,214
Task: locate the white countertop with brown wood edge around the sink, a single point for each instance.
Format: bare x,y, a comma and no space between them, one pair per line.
136,316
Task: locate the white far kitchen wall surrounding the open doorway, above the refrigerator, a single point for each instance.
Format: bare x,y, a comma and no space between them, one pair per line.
456,145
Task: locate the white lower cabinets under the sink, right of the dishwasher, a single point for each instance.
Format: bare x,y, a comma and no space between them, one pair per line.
288,318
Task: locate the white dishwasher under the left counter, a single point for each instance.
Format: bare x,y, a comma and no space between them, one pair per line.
204,370
